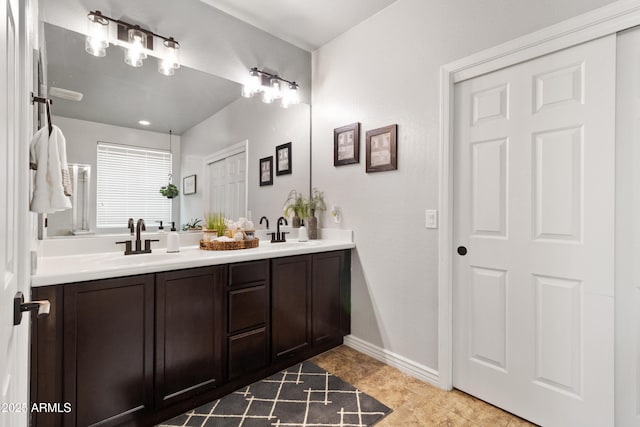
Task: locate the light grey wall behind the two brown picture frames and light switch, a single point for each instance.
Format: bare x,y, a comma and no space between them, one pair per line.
386,71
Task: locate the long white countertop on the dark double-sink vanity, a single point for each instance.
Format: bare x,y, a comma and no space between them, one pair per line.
54,270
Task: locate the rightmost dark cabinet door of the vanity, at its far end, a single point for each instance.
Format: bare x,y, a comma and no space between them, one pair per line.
327,306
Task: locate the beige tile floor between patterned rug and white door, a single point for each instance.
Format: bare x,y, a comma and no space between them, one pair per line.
414,403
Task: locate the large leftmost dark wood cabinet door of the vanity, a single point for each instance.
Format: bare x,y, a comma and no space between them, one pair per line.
108,350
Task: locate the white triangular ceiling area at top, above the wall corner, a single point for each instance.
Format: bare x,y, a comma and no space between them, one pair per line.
307,24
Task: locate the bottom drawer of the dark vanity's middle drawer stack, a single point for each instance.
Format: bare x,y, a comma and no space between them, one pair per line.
247,352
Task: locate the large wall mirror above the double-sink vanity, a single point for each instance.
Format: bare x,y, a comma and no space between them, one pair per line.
206,115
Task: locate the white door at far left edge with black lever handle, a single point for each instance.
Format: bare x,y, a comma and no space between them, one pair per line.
13,342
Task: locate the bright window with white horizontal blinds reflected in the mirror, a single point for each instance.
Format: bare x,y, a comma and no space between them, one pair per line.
129,181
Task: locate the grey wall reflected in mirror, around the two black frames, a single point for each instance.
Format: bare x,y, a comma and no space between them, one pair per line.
265,126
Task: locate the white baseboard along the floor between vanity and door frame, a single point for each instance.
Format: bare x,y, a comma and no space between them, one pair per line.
390,358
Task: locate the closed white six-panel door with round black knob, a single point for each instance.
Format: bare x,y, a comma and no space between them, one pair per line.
534,208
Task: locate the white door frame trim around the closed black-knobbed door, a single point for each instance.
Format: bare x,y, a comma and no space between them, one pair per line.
601,22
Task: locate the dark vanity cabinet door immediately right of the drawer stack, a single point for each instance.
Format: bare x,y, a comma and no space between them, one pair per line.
291,299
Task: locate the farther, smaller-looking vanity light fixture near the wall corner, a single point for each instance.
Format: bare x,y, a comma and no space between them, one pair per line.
271,87
